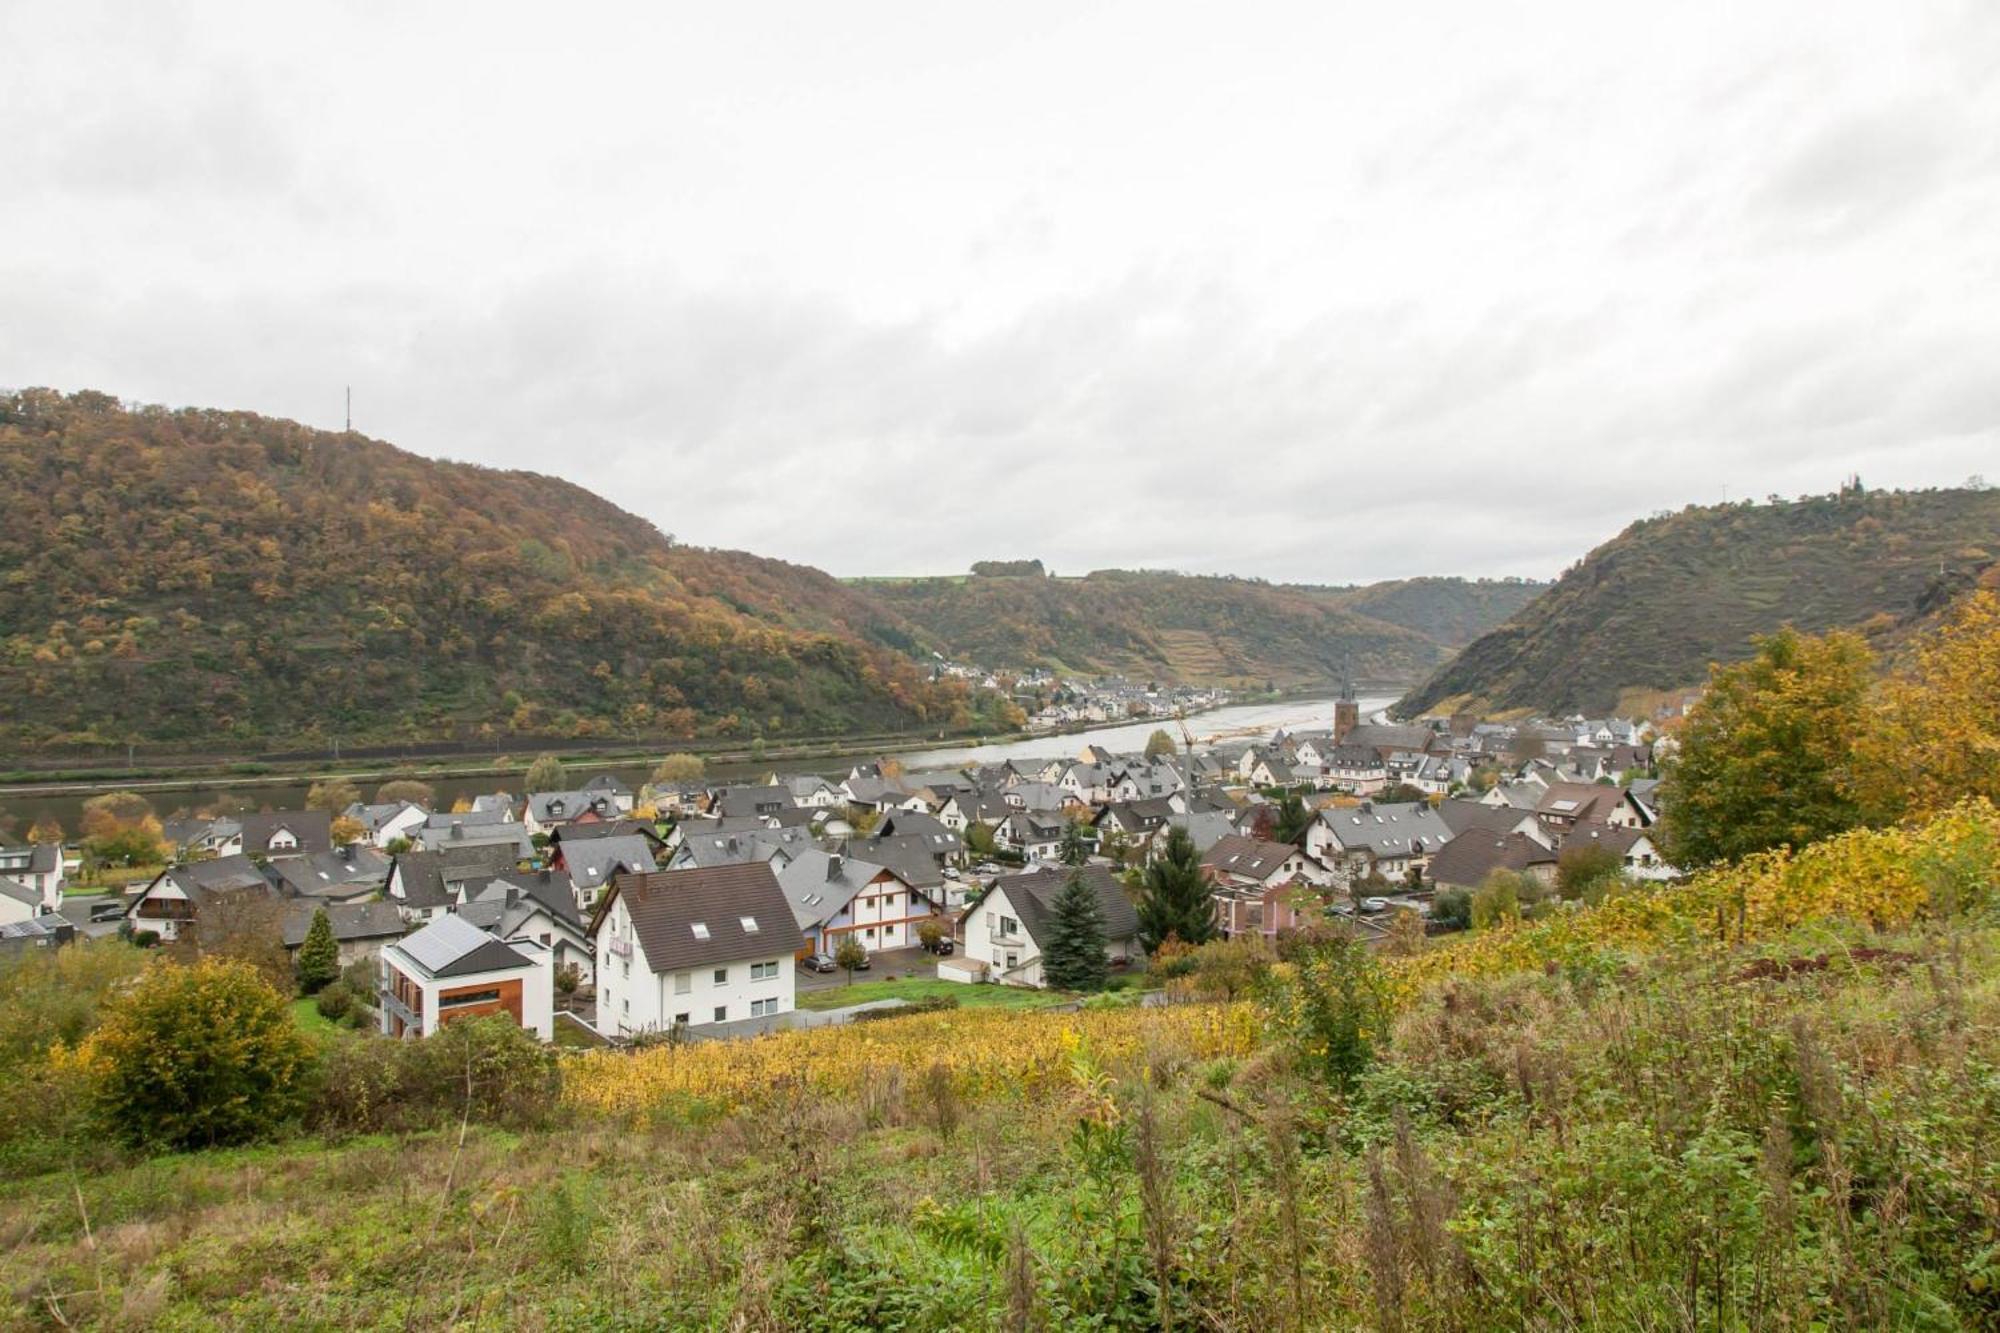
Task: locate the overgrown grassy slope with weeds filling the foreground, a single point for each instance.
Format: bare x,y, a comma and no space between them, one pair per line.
1725,1140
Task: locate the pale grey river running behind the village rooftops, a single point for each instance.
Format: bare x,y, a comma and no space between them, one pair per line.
291,794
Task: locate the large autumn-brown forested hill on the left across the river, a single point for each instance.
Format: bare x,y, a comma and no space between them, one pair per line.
223,577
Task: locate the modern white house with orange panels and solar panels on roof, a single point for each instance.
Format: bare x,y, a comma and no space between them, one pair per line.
453,970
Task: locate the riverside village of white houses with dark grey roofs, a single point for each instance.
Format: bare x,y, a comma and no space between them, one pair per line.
589,912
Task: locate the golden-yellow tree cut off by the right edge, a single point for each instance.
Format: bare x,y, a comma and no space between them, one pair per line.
1935,738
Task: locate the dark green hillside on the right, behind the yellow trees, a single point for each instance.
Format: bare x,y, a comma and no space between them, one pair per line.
1653,607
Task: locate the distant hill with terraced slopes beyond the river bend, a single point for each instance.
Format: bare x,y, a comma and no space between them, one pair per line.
1203,629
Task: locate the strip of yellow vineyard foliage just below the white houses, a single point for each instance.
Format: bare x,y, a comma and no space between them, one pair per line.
989,1054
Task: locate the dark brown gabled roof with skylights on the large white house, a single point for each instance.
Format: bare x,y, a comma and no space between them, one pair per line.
707,916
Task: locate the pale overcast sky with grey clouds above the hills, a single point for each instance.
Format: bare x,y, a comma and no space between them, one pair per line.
1309,291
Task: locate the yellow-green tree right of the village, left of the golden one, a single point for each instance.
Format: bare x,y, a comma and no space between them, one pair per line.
1767,758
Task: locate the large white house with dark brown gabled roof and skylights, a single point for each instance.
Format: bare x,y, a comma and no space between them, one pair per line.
693,948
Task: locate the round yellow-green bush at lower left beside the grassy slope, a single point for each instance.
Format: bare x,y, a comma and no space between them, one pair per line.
199,1056
